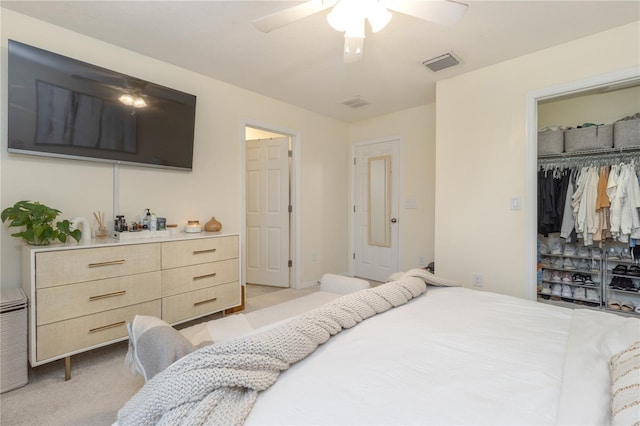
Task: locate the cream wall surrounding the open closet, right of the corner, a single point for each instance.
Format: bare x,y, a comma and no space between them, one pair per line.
480,154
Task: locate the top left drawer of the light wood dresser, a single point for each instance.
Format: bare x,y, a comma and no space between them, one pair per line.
72,266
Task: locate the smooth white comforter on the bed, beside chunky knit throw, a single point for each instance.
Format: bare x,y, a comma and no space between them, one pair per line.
456,356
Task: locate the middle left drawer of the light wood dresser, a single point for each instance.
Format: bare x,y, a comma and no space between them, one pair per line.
74,300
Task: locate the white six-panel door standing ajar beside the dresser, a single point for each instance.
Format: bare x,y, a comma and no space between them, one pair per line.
267,211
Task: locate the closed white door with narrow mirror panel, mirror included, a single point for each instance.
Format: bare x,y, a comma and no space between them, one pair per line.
376,248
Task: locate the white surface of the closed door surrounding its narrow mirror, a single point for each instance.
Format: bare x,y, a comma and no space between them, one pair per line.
371,261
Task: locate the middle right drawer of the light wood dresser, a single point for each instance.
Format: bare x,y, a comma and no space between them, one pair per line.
196,277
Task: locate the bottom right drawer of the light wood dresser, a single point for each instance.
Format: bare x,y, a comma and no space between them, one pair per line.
185,306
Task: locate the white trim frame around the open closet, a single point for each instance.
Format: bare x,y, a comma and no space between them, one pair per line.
531,157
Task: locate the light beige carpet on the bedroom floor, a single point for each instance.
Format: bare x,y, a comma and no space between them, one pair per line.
100,382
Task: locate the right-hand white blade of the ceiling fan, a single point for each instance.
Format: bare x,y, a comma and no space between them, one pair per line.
446,12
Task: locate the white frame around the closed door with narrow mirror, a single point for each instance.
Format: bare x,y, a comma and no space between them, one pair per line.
396,185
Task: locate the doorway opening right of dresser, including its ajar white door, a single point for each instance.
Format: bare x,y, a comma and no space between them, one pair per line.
269,202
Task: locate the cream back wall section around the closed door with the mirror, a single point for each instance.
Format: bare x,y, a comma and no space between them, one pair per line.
415,127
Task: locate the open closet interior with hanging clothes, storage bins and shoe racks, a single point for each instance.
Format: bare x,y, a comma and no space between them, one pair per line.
589,201
